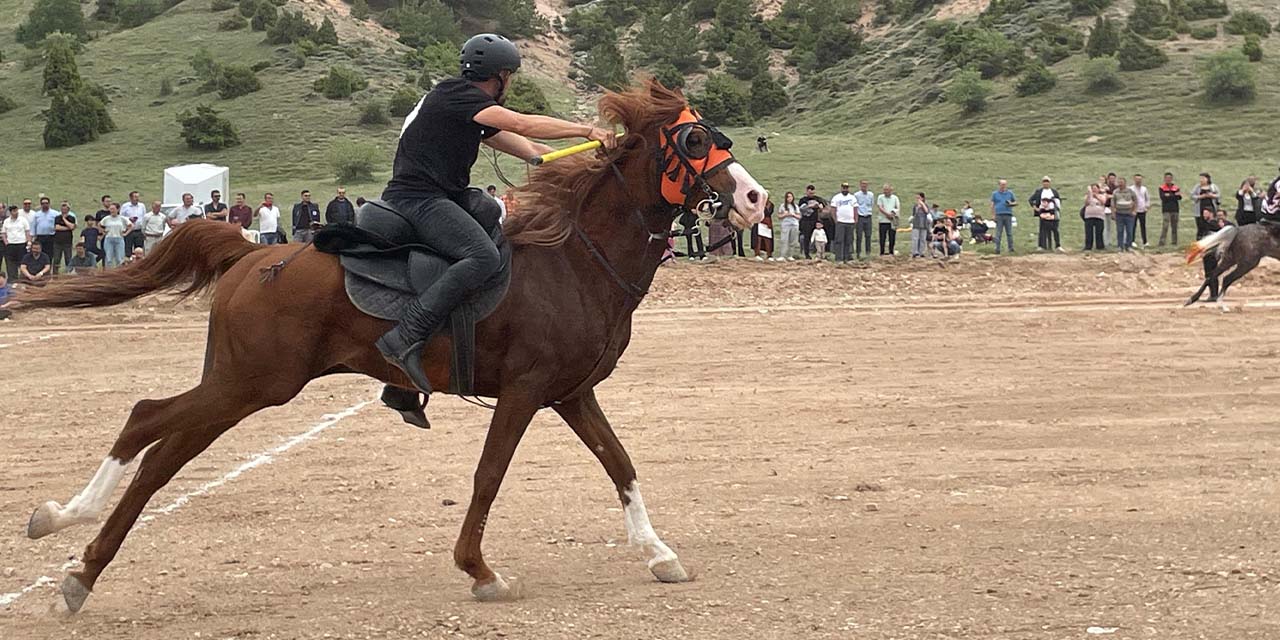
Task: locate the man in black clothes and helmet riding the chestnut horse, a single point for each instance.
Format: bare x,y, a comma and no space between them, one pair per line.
440,143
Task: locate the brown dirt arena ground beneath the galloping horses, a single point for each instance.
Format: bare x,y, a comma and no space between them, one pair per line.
1044,449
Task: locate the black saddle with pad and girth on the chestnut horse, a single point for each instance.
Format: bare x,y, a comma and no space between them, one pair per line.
387,267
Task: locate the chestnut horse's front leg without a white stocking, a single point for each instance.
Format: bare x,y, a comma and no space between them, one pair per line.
508,428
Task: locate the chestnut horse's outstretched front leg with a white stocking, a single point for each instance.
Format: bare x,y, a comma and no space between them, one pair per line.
586,418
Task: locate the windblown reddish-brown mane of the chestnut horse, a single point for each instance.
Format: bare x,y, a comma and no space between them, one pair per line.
557,191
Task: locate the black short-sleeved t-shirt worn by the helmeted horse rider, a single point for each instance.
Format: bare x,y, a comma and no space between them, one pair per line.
441,141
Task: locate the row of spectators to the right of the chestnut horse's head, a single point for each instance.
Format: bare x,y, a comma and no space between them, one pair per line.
1113,212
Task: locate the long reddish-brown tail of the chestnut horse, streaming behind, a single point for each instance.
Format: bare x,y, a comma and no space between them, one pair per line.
189,260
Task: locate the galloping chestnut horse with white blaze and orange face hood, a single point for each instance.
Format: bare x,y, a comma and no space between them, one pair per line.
588,243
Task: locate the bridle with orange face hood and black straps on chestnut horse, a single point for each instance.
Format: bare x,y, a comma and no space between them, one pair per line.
679,175
